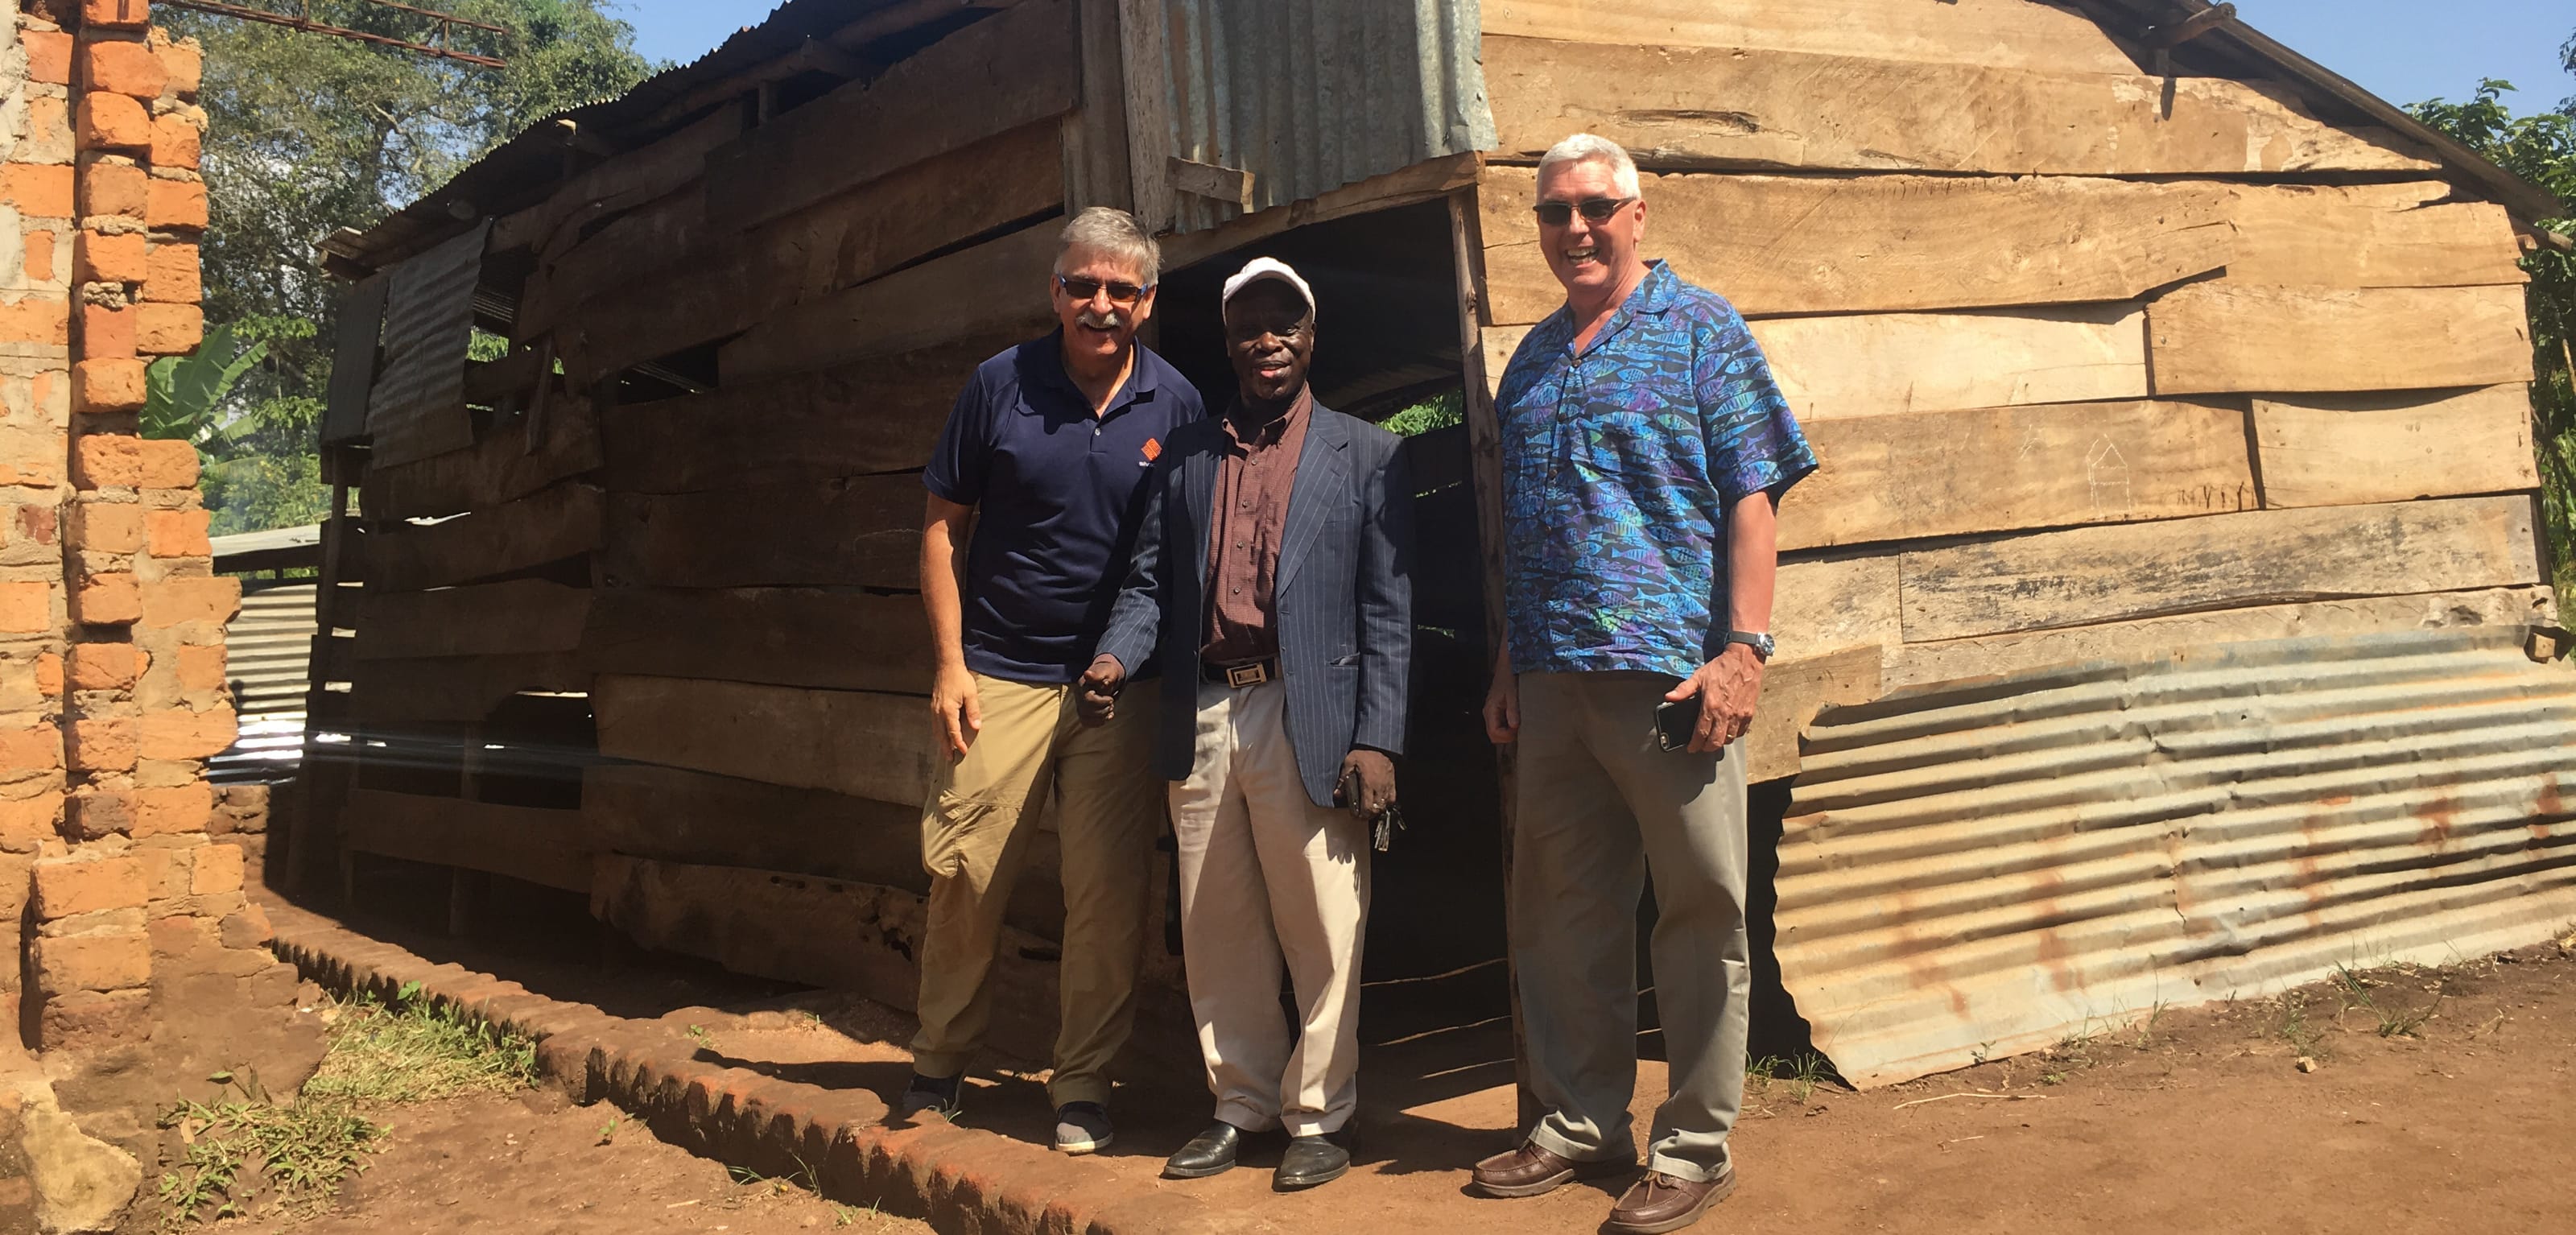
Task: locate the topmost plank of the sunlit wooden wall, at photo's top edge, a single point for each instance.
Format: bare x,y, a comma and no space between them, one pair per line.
1959,32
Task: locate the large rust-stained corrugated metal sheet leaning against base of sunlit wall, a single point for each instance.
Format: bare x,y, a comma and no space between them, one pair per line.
1990,868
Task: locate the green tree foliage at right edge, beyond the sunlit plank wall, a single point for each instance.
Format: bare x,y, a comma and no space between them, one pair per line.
2539,148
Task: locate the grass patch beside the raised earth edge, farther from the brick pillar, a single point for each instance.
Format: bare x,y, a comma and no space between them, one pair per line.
419,1053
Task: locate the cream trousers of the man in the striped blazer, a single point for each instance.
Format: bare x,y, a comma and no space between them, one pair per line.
1269,880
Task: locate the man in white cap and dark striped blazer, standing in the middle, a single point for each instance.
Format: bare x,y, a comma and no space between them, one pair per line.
1274,581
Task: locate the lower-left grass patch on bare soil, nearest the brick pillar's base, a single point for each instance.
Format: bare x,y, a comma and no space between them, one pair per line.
241,1149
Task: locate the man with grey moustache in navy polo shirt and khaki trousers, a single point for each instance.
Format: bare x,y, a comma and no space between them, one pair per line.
1045,458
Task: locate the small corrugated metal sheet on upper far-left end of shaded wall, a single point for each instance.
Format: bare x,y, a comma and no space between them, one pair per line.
419,406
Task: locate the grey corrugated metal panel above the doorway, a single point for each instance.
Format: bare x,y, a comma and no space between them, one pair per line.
1320,94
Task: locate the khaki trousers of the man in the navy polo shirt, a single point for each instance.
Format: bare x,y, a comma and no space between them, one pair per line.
975,837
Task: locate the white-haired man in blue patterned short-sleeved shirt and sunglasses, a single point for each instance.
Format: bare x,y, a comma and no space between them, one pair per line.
1645,450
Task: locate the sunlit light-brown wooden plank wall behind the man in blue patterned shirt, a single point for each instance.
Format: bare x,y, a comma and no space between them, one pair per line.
2098,362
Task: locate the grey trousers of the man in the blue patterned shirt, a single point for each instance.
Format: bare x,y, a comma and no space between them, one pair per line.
1598,808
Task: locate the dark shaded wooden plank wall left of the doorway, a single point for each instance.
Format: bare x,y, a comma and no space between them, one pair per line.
728,571
